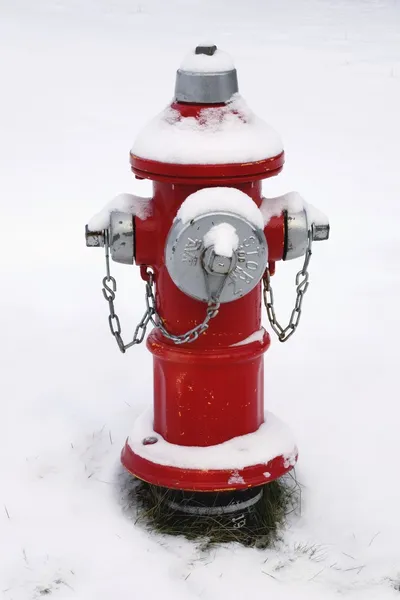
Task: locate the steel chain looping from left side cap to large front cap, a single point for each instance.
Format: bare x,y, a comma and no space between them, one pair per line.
109,291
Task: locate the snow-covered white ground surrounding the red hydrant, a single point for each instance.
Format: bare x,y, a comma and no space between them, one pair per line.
79,78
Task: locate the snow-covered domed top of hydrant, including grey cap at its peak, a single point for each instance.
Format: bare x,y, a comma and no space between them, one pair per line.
224,131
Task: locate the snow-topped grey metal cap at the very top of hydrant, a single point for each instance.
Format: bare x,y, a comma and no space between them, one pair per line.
206,76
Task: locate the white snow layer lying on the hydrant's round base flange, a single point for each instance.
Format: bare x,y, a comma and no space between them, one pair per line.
272,439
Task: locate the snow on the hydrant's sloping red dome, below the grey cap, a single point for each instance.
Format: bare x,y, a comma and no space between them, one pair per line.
228,134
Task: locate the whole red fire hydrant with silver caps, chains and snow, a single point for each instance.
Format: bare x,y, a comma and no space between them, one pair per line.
206,244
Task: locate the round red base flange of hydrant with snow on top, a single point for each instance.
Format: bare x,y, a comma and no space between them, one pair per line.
145,450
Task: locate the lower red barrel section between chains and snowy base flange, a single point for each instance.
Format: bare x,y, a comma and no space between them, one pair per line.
204,398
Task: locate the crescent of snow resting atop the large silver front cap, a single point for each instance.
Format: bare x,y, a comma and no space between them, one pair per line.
220,199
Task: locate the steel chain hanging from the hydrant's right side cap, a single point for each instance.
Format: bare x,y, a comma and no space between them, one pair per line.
302,284
